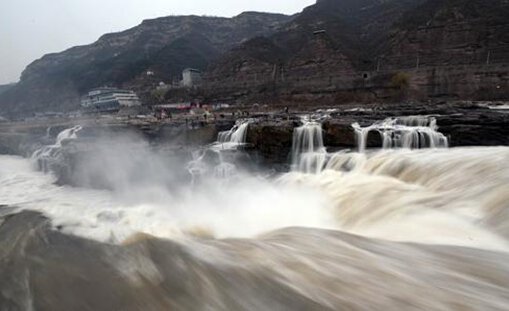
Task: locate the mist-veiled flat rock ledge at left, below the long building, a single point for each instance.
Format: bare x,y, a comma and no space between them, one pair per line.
23,138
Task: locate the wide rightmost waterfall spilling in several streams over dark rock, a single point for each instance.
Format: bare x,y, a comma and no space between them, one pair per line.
414,132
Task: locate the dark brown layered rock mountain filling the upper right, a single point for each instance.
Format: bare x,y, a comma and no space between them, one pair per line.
374,49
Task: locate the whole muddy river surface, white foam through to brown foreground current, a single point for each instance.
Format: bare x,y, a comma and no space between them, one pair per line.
387,230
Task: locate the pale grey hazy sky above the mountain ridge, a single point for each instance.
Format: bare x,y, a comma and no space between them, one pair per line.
32,28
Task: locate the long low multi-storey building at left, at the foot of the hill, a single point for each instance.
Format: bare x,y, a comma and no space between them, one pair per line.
109,99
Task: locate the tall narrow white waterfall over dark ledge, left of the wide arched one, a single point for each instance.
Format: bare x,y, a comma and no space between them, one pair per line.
308,152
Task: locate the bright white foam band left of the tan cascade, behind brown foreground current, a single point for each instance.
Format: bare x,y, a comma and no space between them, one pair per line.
236,210
